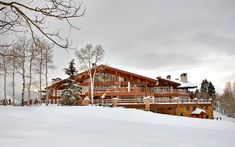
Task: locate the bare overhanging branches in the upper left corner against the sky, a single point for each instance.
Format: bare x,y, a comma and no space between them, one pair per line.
34,17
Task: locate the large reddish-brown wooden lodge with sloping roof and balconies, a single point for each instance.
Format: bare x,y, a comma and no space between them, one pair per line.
131,90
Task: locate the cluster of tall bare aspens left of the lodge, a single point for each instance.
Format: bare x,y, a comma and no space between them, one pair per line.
29,59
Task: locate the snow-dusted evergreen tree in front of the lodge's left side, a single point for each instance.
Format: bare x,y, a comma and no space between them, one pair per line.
72,90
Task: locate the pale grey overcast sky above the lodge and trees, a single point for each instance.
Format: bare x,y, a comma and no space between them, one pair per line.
159,38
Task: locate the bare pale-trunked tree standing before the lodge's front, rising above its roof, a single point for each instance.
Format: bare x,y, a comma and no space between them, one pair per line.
88,58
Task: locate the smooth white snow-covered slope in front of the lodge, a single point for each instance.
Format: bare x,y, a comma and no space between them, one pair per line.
58,126
